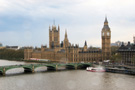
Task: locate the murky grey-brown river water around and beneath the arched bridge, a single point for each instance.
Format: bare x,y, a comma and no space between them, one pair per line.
15,79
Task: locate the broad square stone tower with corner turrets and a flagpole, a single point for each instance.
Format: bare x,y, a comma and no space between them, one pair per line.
54,36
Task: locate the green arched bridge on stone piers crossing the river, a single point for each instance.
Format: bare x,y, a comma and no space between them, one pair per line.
32,67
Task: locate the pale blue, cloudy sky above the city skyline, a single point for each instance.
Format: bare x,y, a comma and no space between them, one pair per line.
26,22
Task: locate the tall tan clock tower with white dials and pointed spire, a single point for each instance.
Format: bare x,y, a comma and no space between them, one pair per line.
106,41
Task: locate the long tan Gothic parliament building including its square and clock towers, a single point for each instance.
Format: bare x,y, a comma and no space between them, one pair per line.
66,52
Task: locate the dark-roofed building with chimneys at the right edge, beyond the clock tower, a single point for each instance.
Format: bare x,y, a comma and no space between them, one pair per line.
127,53
